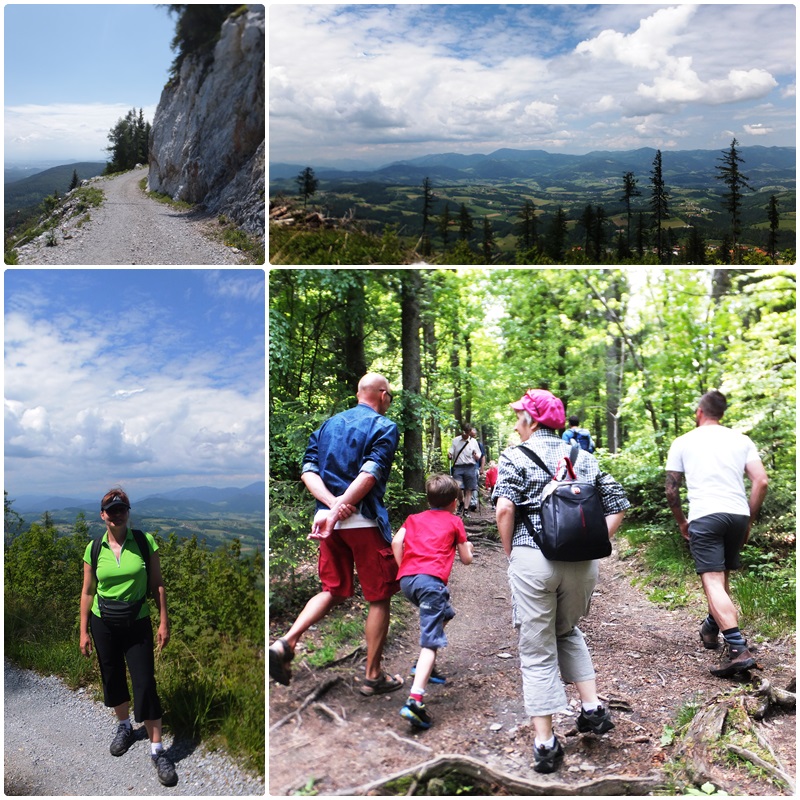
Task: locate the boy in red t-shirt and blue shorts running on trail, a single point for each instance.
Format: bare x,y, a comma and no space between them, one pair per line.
425,548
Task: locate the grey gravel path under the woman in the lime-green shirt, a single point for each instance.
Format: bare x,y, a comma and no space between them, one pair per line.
56,743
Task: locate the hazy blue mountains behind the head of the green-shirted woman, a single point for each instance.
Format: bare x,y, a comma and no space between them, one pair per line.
197,502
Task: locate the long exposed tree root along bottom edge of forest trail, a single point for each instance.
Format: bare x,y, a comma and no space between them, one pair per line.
476,771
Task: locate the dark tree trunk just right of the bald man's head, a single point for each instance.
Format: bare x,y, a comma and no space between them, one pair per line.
413,467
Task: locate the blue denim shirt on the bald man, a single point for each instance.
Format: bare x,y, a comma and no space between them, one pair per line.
357,440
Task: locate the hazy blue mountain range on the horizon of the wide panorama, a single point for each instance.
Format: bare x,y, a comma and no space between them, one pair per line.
763,166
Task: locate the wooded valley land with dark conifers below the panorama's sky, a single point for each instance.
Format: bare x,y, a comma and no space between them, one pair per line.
714,214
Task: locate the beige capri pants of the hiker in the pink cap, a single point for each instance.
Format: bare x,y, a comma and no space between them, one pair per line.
548,599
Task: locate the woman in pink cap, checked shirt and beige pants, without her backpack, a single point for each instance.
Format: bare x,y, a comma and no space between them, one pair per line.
550,597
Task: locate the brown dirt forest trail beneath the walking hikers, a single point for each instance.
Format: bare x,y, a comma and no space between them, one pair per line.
649,663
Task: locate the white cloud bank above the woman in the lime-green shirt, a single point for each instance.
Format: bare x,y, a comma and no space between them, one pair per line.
72,421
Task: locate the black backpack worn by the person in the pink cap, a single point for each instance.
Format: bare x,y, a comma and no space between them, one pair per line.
574,525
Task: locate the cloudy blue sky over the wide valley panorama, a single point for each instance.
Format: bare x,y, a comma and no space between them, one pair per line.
384,82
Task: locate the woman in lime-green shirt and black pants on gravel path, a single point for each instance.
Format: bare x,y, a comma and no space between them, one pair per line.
115,616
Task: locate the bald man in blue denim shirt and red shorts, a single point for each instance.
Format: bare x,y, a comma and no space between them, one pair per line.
346,467
